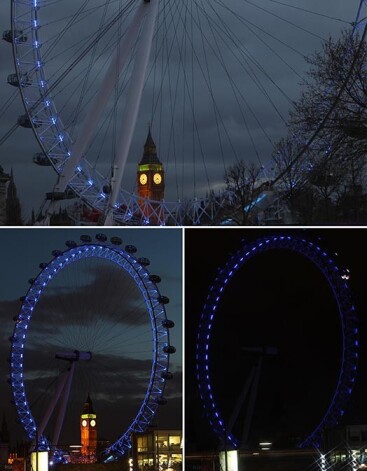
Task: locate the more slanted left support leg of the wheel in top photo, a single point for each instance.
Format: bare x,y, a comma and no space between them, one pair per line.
123,50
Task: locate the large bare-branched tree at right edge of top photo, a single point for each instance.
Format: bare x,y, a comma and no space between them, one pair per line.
335,164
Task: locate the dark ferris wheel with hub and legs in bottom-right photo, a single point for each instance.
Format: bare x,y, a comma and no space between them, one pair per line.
337,278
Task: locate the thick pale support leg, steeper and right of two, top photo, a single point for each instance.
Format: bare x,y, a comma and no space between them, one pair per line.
132,104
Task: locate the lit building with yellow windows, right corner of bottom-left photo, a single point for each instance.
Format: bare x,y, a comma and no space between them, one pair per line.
157,450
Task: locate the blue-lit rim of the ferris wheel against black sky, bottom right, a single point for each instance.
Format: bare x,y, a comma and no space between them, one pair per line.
337,280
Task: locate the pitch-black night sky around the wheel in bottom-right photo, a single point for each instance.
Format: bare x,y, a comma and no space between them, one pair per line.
278,299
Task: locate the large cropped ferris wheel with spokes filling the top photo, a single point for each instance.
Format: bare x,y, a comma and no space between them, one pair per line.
211,78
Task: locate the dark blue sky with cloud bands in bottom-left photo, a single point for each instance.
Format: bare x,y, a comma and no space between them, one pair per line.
91,307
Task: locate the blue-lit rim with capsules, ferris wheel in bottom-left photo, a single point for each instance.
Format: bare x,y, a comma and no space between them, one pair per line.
160,325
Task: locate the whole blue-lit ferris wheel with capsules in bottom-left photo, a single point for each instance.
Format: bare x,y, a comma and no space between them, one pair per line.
93,321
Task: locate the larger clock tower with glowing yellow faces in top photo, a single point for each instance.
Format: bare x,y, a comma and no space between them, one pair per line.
150,179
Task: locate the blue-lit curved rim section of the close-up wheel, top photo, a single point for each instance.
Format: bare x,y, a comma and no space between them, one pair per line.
85,180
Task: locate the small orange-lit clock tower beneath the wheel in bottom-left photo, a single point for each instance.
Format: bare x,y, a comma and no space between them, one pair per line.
88,431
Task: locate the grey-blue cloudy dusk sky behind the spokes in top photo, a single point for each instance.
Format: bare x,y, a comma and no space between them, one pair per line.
218,91
